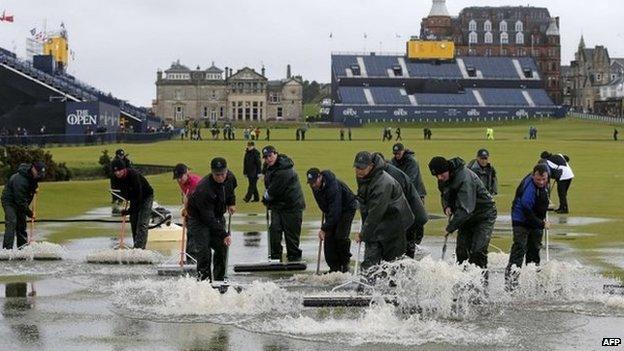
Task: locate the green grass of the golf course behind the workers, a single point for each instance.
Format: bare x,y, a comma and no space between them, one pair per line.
596,160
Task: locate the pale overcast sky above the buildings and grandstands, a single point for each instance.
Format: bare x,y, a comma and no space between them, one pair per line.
119,45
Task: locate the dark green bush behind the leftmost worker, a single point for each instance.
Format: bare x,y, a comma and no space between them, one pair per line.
12,156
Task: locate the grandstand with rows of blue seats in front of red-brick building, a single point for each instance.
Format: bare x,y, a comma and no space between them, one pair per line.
372,87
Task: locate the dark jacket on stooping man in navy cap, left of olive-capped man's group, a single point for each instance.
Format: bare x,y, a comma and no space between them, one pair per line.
334,198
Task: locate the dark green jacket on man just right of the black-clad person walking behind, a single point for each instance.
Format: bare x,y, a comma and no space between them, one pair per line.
283,190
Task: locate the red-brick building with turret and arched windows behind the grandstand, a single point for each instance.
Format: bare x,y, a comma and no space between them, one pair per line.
514,31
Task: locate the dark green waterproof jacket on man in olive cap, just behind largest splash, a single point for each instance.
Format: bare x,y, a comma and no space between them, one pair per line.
386,214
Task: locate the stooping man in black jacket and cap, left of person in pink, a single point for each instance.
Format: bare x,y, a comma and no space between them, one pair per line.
132,186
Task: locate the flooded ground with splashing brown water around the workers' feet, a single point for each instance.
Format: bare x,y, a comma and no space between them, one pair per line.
73,305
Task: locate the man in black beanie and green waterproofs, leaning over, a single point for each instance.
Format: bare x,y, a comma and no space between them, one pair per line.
469,205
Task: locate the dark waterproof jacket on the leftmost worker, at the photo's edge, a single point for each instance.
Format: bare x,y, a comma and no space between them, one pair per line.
20,189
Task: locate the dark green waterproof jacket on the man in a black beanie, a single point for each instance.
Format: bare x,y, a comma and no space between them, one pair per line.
465,194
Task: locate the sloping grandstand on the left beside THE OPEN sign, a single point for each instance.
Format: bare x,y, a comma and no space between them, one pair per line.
33,94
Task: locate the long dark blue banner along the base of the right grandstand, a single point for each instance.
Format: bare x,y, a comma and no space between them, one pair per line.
363,114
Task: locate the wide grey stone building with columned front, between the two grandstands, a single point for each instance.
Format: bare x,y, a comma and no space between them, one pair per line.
216,94
